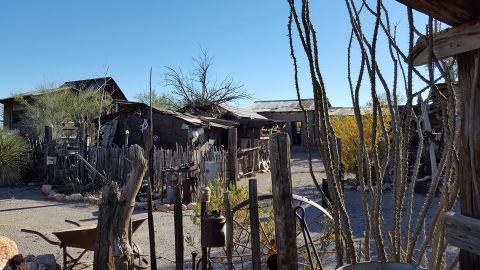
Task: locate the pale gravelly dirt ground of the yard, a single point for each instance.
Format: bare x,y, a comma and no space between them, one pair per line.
26,208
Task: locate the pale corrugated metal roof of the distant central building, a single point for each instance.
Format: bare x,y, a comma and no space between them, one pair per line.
294,106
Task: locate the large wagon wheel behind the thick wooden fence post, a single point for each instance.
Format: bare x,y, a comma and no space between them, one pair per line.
318,226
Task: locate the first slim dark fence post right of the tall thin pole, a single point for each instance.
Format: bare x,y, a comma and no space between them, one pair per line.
178,221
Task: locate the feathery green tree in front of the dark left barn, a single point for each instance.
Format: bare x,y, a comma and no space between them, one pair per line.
59,108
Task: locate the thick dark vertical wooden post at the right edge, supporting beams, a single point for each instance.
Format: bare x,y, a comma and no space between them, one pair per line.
469,149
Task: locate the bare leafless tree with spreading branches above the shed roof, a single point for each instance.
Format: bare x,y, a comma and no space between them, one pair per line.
197,92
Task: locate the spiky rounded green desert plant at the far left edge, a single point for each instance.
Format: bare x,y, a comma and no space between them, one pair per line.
14,152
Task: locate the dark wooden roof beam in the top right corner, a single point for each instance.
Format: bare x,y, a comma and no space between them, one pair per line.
452,12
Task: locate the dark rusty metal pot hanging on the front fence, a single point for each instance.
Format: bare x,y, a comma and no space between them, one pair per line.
214,230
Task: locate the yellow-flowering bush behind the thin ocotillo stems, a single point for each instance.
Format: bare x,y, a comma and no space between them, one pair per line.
345,127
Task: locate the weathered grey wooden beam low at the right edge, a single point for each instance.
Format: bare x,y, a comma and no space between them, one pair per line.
463,232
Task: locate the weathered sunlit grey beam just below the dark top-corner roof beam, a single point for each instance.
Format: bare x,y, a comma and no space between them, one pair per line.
449,42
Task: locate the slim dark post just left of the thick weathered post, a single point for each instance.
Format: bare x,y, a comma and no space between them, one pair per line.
254,224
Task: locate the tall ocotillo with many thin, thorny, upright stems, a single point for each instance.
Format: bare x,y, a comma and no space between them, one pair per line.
402,241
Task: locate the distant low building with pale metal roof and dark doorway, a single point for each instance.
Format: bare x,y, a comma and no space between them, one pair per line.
290,112
